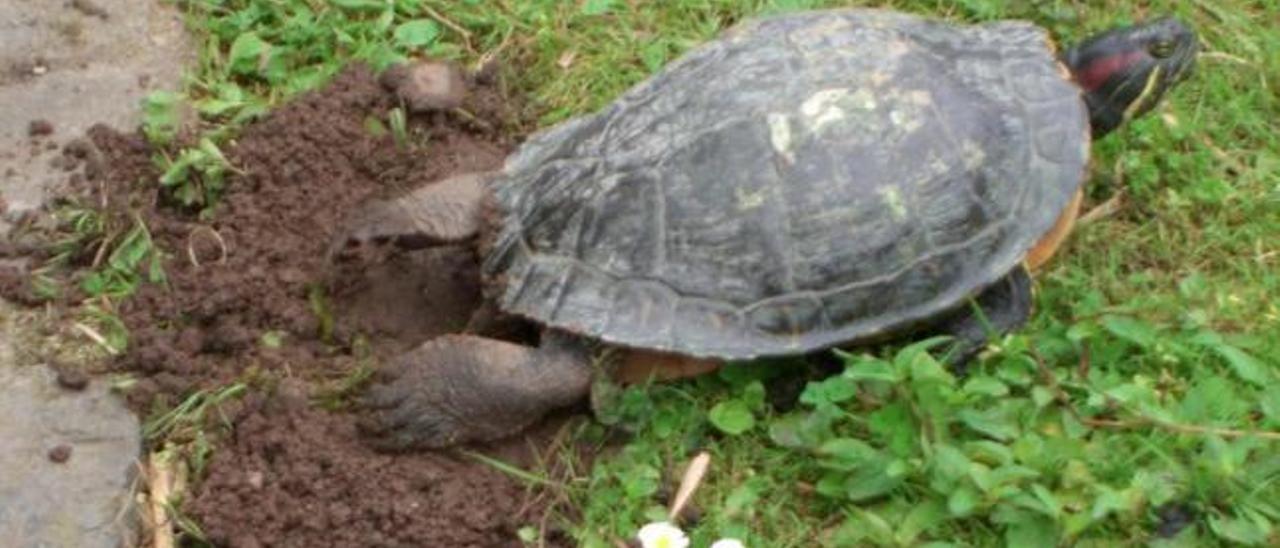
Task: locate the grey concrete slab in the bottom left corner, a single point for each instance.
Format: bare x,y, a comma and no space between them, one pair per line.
68,464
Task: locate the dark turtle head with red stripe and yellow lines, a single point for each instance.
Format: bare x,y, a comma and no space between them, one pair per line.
1126,72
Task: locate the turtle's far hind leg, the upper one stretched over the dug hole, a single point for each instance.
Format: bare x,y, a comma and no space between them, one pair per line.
442,213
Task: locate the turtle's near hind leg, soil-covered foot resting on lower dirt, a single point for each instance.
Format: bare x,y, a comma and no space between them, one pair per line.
463,389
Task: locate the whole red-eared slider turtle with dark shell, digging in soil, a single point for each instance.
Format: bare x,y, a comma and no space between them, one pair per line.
806,181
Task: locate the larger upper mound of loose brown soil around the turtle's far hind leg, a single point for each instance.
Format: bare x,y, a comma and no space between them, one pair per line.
259,267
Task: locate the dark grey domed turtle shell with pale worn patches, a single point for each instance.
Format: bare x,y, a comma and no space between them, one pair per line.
806,181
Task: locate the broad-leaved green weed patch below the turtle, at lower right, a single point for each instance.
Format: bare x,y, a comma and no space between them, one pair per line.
1031,450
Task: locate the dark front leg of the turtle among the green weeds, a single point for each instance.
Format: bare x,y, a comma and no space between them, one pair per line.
1002,309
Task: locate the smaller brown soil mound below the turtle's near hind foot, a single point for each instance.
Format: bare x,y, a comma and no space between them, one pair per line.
300,478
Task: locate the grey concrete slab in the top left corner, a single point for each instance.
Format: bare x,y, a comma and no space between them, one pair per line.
75,63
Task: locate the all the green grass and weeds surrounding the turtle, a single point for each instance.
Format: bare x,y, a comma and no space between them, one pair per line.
1142,382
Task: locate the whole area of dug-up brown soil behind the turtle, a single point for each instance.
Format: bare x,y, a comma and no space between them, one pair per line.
291,474
